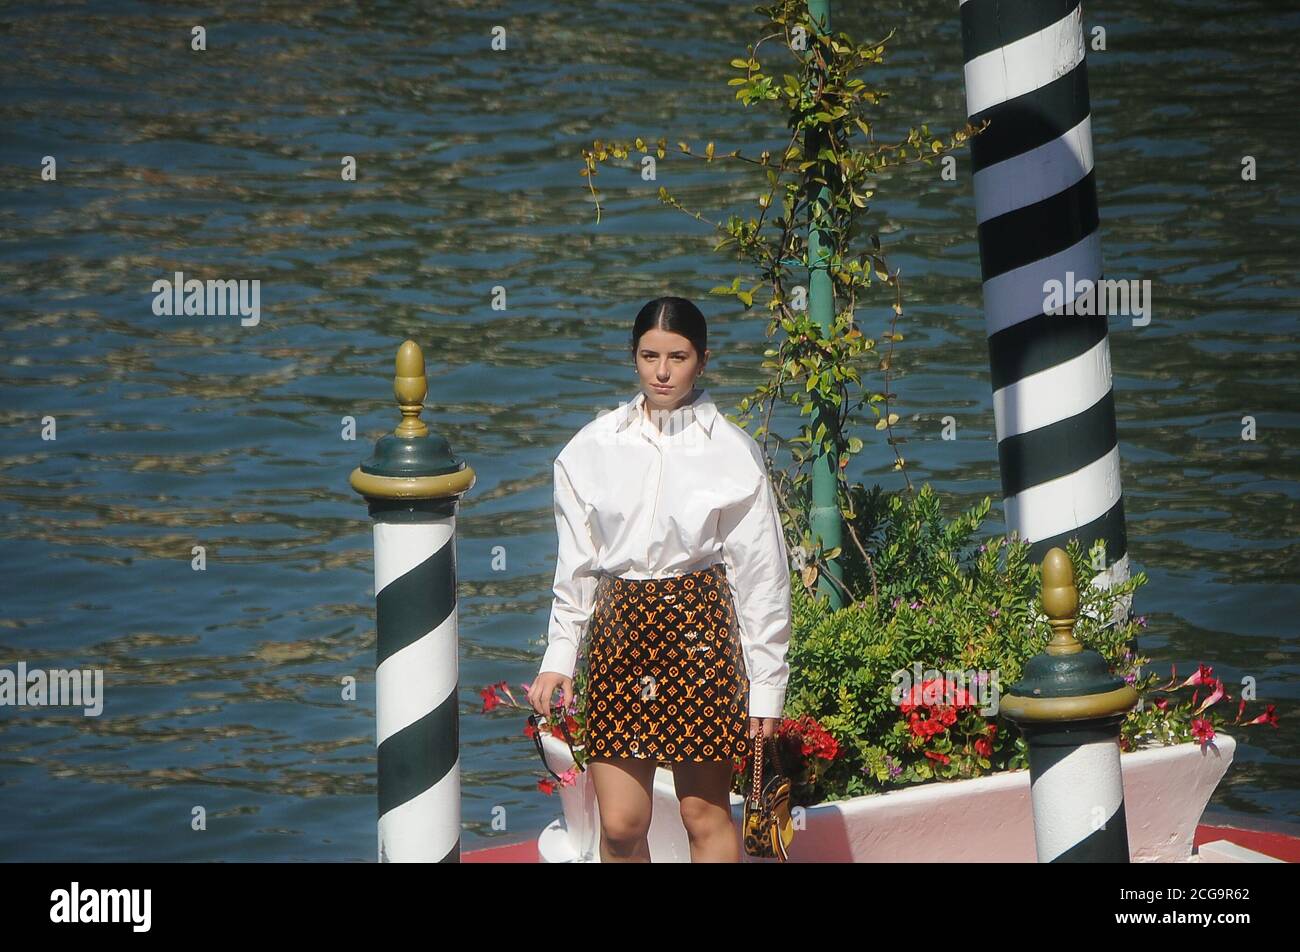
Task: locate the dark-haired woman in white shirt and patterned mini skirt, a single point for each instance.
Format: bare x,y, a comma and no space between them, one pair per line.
674,564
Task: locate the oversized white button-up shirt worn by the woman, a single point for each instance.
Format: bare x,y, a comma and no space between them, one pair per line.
642,503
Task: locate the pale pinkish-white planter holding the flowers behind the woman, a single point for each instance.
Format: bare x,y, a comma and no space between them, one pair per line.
983,820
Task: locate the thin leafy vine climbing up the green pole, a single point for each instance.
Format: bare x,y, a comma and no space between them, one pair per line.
827,175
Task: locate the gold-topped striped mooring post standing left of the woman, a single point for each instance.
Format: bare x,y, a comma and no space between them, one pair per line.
413,486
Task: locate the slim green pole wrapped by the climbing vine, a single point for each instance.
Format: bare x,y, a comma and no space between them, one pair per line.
825,518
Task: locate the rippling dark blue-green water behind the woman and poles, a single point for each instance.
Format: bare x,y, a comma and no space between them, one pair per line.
223,687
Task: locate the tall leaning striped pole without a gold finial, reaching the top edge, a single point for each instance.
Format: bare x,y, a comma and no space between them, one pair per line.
1037,210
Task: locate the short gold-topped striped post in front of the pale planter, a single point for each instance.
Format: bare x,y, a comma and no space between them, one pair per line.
1071,708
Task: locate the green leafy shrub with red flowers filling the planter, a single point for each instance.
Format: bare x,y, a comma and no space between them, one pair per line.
944,604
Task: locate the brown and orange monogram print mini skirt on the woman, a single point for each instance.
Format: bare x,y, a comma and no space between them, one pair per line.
666,673
